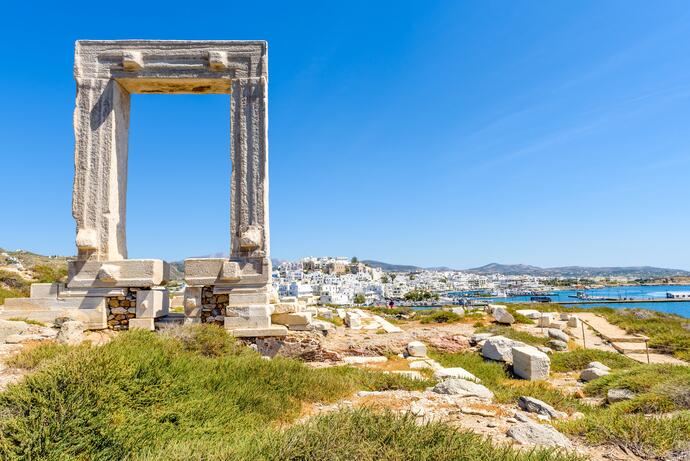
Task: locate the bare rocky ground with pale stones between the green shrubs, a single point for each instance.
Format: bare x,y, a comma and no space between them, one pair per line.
457,397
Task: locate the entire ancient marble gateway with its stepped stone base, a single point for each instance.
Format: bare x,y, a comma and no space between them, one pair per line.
104,287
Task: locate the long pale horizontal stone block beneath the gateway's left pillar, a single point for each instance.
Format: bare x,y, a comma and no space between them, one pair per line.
118,274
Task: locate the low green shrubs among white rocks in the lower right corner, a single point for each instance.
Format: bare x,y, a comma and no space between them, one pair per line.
656,421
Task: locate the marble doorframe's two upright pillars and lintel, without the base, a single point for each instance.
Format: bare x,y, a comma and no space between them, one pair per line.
107,73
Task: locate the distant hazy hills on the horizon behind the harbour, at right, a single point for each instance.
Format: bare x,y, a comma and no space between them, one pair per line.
577,271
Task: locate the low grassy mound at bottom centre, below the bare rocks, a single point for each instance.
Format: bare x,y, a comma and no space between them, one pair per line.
368,436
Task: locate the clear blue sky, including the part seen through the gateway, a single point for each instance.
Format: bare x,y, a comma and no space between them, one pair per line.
429,133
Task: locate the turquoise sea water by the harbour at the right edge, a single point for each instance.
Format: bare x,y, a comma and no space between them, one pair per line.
641,292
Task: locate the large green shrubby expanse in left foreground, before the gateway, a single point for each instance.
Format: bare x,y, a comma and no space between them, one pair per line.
194,391
